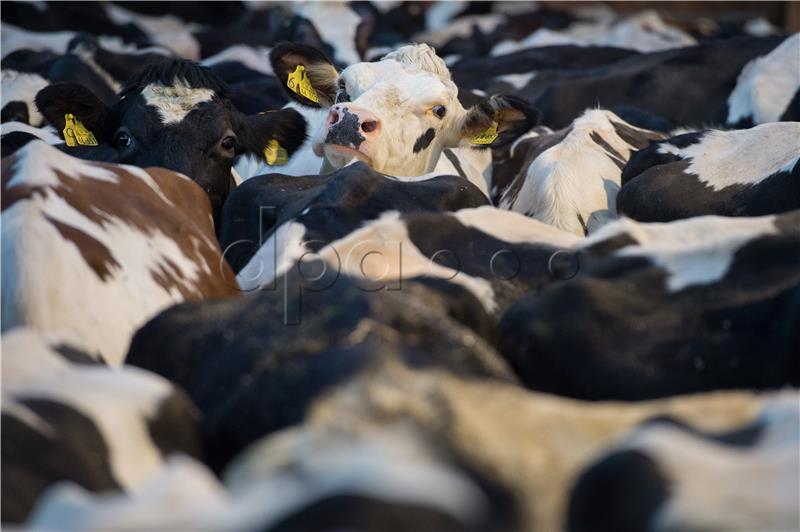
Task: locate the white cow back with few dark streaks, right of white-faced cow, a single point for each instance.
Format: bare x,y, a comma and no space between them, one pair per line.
570,178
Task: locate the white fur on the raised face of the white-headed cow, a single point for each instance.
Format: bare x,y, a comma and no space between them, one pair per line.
401,90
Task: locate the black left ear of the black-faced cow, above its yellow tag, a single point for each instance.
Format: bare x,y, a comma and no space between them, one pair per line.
59,99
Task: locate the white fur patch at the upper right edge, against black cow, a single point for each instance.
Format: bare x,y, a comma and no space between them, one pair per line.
767,84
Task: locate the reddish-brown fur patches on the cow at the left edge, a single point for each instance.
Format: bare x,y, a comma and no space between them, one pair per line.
182,214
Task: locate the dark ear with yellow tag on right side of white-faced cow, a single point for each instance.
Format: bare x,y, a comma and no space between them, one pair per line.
498,121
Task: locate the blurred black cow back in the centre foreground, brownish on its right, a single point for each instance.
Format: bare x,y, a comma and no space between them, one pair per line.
255,364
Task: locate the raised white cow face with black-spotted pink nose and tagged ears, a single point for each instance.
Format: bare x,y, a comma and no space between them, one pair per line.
397,114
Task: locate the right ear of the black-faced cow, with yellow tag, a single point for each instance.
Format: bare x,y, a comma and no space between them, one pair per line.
274,135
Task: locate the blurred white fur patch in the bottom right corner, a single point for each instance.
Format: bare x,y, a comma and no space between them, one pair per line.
721,487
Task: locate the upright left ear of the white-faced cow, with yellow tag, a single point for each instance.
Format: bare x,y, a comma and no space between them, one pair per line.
306,74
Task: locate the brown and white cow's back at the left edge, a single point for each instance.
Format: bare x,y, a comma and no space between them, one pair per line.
92,250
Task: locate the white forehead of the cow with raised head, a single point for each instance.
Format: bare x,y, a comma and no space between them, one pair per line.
406,80
